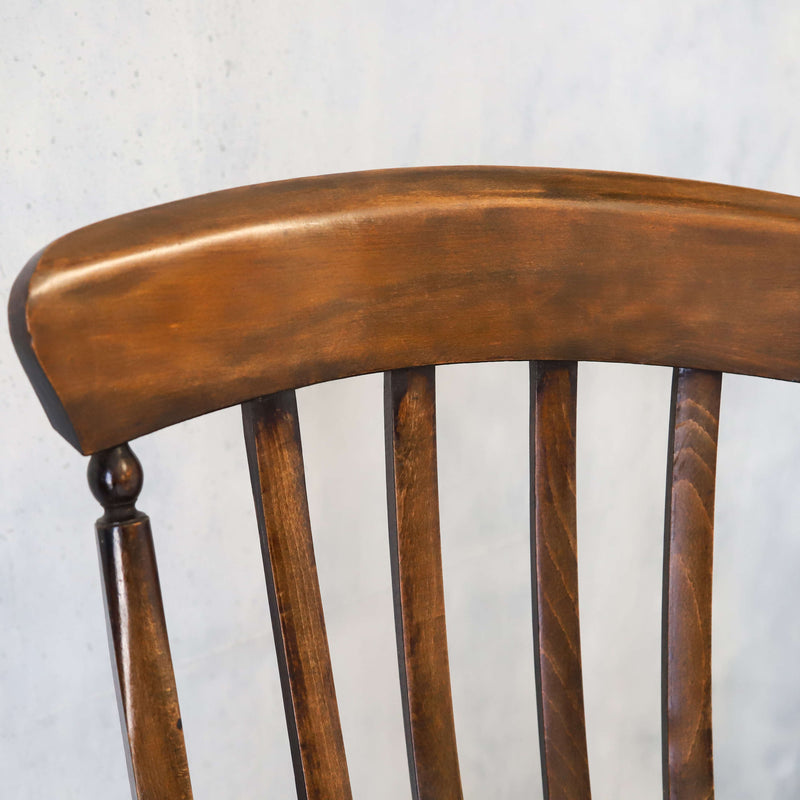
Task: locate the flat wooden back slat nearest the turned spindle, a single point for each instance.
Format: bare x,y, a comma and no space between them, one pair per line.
274,453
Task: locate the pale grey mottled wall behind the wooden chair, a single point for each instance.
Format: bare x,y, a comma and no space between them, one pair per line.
107,108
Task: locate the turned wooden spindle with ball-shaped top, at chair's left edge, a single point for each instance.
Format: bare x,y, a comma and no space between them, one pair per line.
148,699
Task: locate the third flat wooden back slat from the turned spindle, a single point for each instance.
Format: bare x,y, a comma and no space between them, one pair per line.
557,649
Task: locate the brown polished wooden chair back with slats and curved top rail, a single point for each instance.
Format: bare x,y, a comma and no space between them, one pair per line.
241,296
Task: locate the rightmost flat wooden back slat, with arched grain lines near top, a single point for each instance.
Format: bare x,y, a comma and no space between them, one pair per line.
688,771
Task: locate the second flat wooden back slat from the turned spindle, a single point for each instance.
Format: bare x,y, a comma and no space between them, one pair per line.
412,487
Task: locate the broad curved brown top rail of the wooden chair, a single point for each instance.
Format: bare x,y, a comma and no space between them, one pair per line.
250,291
